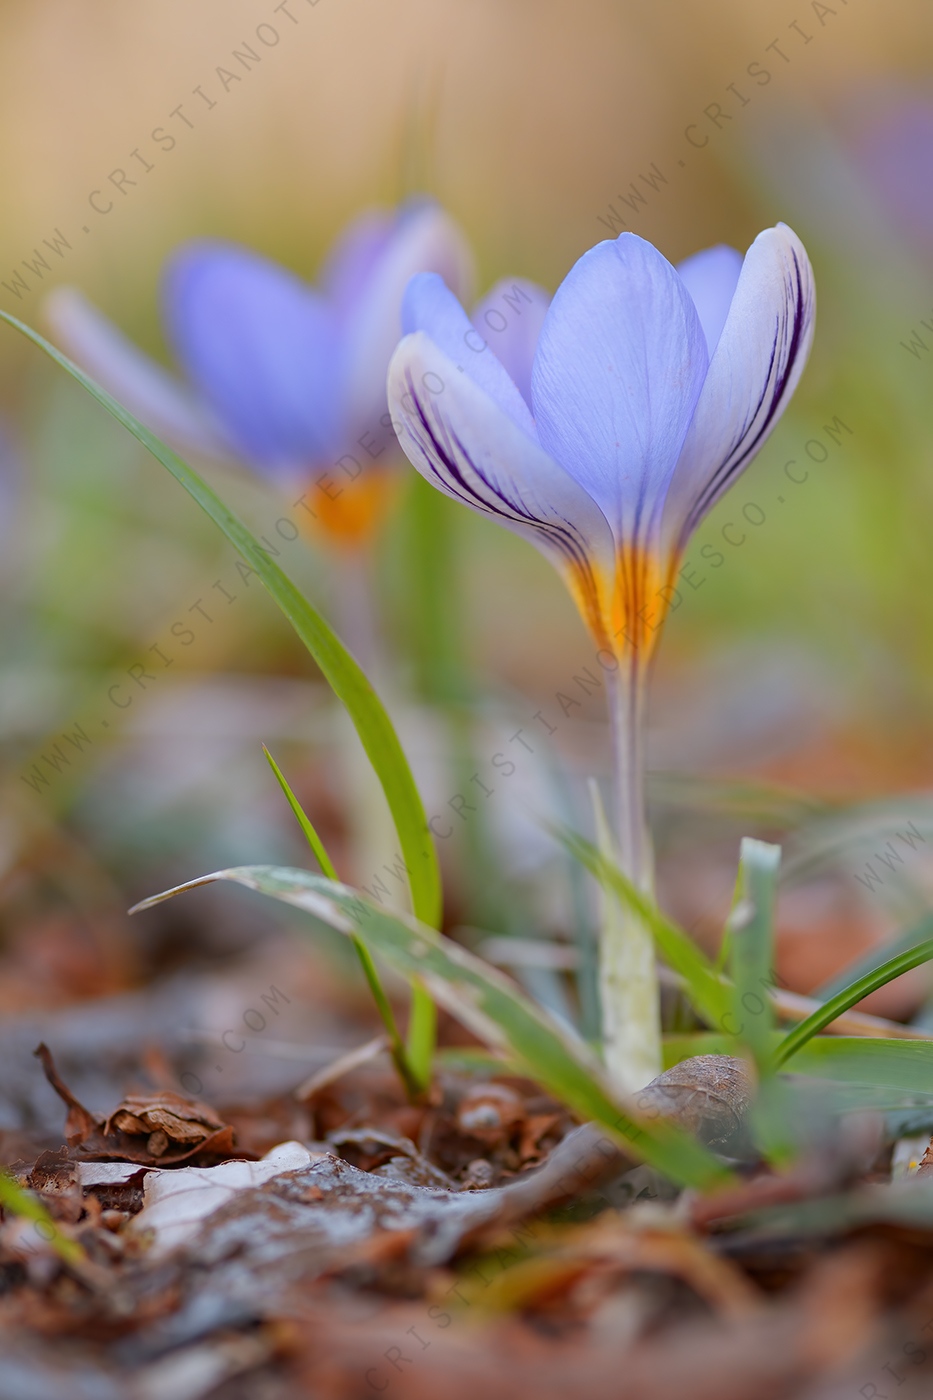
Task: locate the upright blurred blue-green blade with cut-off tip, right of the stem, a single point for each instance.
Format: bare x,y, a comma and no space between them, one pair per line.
752,941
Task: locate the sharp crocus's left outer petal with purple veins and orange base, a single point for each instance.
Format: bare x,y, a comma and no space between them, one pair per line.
462,442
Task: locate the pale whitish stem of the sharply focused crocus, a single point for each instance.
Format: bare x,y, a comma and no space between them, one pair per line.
628,974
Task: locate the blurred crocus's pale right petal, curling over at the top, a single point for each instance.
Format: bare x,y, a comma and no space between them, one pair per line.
424,240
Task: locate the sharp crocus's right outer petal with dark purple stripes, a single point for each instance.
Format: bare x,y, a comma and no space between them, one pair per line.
756,369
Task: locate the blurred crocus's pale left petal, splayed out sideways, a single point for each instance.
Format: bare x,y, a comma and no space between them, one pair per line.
160,401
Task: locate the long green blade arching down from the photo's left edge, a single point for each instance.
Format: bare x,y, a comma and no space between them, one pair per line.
343,673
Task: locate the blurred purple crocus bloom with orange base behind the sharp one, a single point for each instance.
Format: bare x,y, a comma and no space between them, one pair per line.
285,377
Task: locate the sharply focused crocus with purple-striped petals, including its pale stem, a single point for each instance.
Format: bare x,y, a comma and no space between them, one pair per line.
651,390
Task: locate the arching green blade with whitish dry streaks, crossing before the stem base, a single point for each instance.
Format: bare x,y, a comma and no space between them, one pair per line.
491,1006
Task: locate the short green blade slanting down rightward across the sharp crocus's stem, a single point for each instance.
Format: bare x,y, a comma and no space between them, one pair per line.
708,992
